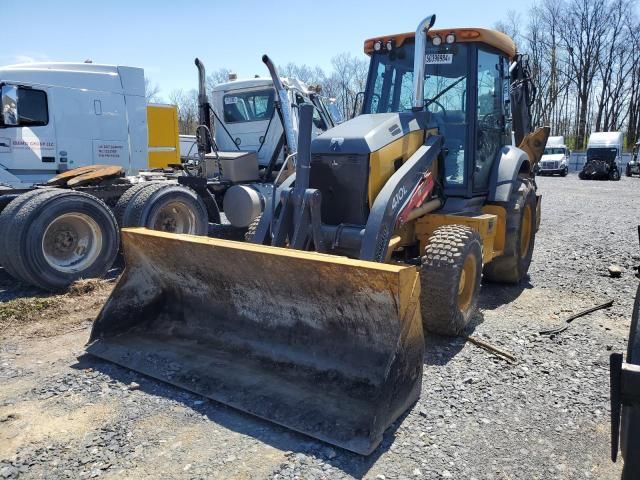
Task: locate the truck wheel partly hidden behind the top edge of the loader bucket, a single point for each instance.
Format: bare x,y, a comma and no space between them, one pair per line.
169,208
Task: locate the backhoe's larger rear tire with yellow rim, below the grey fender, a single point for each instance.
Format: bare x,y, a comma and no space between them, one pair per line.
513,264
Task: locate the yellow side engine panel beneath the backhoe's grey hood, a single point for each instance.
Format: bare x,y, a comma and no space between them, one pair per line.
384,162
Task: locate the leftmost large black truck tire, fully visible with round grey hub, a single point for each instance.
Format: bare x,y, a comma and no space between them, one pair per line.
59,236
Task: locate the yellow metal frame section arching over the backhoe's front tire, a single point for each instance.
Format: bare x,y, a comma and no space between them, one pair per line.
485,224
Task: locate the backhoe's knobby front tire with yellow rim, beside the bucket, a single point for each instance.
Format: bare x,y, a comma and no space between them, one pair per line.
450,276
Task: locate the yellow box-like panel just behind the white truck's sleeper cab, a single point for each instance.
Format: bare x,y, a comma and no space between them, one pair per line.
164,138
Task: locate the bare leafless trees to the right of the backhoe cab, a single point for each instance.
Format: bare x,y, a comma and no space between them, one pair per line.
584,57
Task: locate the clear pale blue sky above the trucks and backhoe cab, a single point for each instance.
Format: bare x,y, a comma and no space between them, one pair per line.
163,36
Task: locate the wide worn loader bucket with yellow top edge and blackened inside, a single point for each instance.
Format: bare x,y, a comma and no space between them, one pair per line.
325,345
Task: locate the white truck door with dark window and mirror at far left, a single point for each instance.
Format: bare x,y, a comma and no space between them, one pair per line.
27,133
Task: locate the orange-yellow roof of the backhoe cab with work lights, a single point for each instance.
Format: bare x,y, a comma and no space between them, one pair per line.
493,38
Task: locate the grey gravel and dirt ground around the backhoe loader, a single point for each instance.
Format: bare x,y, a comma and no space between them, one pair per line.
66,415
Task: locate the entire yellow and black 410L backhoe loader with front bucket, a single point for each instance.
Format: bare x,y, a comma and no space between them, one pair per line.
386,227
